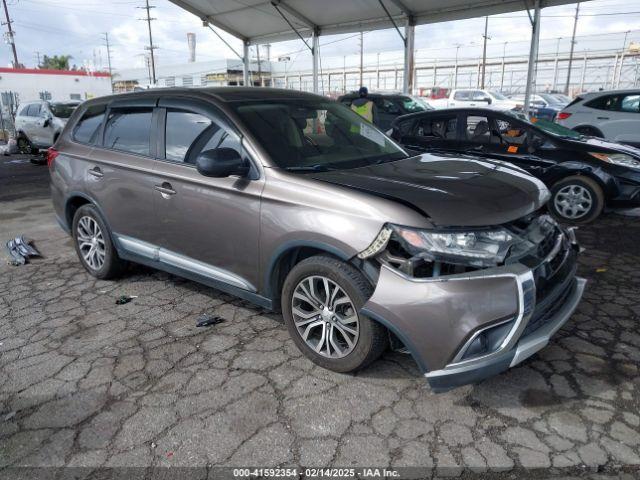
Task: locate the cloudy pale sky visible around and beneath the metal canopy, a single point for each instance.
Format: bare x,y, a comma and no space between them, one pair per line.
76,28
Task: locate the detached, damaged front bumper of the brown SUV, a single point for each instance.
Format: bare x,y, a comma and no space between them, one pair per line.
464,328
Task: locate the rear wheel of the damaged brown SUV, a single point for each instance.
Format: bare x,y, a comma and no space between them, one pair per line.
104,266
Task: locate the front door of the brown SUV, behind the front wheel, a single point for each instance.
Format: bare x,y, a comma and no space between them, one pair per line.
207,225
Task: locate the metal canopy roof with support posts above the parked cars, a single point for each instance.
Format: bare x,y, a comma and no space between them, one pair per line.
267,21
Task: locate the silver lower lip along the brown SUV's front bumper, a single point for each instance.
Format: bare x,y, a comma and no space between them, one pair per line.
455,375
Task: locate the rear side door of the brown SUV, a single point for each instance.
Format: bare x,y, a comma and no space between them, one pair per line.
119,172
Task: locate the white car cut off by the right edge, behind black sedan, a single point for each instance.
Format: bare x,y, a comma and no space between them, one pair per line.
614,115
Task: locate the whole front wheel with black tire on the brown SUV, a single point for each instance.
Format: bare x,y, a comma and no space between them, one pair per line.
371,338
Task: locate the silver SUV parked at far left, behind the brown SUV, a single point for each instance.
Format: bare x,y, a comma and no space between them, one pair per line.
39,123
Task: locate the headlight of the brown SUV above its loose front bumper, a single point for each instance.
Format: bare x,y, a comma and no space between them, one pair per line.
481,248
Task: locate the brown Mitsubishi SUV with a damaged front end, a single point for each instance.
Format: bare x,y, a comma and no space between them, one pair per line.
293,201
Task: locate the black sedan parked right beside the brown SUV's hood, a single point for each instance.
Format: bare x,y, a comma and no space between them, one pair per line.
584,174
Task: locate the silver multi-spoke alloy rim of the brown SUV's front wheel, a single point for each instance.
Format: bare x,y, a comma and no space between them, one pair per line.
325,317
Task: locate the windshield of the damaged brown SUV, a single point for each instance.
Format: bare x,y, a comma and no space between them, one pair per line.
306,134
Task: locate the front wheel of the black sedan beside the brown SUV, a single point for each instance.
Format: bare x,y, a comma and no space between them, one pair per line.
565,204
